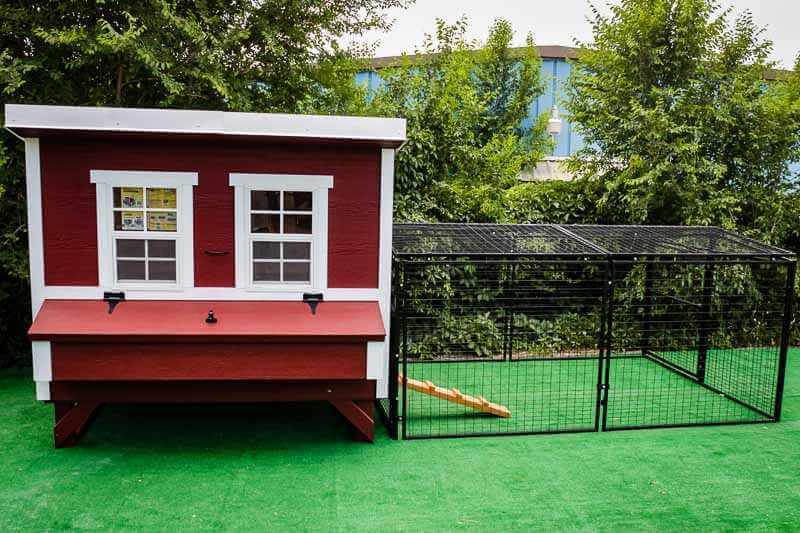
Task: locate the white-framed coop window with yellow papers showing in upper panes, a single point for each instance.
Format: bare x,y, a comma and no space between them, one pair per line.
144,229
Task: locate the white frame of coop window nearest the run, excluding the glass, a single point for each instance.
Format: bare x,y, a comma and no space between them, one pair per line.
243,184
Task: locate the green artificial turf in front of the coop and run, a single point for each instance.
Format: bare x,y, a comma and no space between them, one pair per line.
293,468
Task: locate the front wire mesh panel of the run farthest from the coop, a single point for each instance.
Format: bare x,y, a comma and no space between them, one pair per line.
695,342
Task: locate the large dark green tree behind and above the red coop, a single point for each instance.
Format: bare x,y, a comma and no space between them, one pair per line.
242,55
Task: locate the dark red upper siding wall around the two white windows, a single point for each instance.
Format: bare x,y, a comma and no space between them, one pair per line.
69,212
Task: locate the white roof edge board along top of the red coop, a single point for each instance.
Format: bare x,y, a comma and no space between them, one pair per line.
115,119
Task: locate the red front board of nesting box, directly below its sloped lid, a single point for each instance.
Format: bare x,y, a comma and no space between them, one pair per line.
213,361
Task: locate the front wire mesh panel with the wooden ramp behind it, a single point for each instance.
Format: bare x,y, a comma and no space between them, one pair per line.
494,347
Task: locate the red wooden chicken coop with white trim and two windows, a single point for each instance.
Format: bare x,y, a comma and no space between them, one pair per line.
206,256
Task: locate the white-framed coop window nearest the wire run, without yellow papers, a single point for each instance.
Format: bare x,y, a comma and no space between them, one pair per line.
281,231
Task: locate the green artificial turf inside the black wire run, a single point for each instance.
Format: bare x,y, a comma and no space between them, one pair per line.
561,394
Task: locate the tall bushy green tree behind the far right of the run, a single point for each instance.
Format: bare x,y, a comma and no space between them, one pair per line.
680,125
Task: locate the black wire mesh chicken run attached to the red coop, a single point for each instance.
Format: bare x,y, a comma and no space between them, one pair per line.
519,329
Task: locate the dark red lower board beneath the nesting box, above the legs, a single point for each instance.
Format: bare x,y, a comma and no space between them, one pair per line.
211,391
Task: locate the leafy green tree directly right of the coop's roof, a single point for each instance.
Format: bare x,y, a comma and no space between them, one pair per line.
464,104
